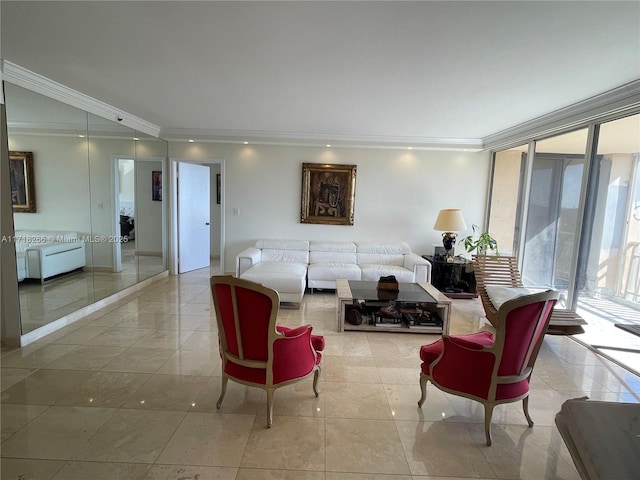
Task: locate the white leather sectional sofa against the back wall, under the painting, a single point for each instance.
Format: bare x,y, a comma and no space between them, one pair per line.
290,266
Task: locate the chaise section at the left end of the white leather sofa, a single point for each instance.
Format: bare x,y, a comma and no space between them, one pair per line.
277,264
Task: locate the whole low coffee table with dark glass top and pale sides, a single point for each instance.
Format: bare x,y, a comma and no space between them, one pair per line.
416,308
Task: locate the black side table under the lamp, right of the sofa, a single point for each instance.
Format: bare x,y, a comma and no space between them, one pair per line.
455,279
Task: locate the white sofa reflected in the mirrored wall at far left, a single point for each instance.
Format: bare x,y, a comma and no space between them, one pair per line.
45,253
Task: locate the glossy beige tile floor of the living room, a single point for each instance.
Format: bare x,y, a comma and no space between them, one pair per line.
129,393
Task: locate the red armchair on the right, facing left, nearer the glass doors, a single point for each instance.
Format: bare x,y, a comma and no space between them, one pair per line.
491,369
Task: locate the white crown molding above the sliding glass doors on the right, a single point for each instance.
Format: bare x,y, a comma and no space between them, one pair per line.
612,103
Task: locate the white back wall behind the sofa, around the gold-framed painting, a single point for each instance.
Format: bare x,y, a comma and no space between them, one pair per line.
398,193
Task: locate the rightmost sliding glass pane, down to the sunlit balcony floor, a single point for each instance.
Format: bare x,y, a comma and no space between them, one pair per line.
608,287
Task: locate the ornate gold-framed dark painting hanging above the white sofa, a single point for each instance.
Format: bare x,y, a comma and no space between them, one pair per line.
328,193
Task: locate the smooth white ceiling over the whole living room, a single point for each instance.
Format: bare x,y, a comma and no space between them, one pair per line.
420,72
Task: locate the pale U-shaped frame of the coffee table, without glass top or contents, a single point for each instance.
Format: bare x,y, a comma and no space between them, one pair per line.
441,307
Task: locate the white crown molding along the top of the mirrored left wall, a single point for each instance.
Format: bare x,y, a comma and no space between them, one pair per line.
32,81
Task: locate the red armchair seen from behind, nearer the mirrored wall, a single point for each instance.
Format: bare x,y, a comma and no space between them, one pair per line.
254,350
